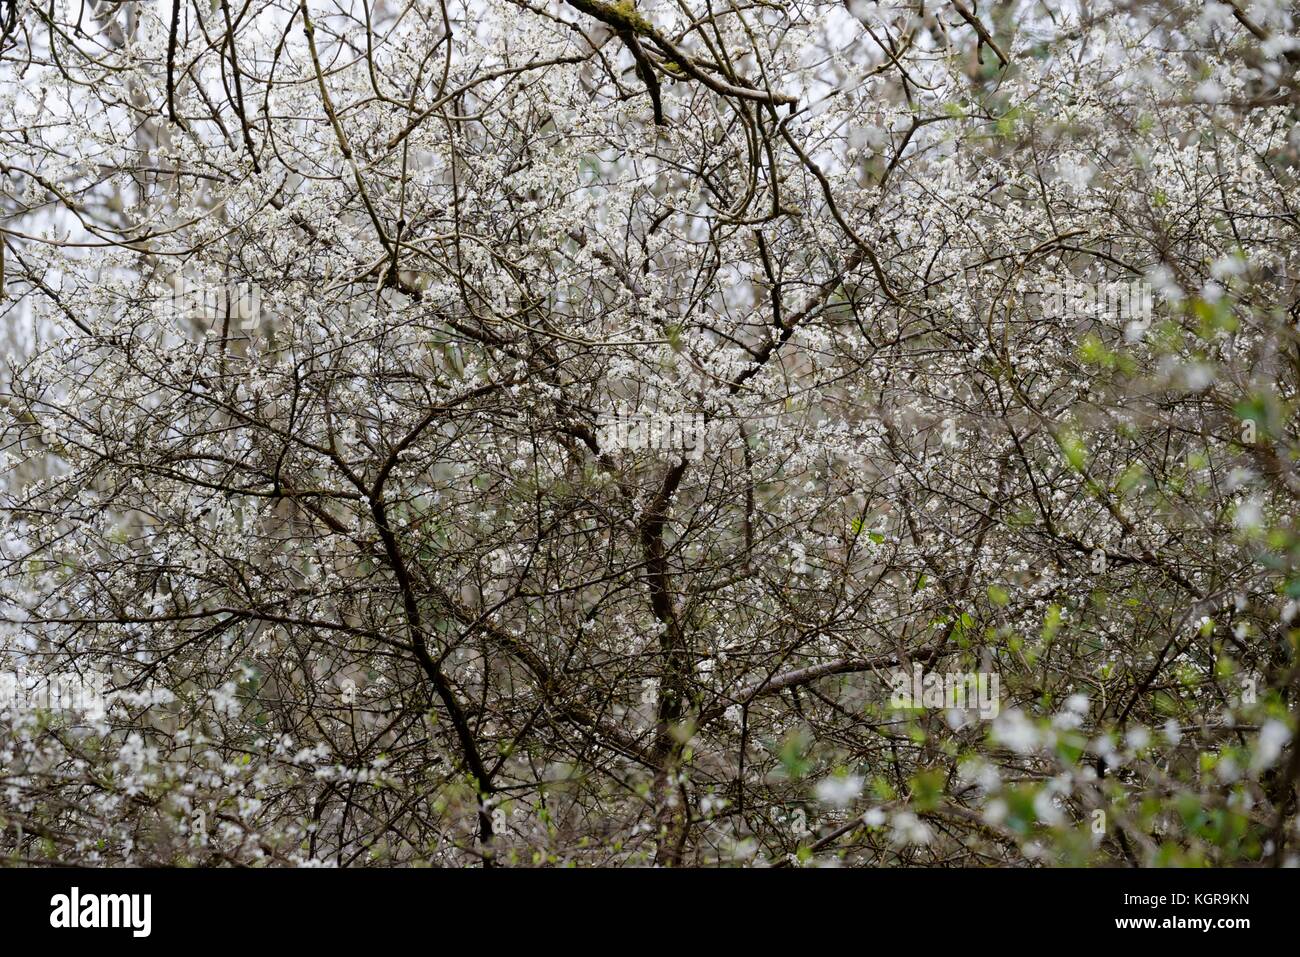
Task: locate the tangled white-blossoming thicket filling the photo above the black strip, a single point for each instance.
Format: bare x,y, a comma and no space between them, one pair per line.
374,583
